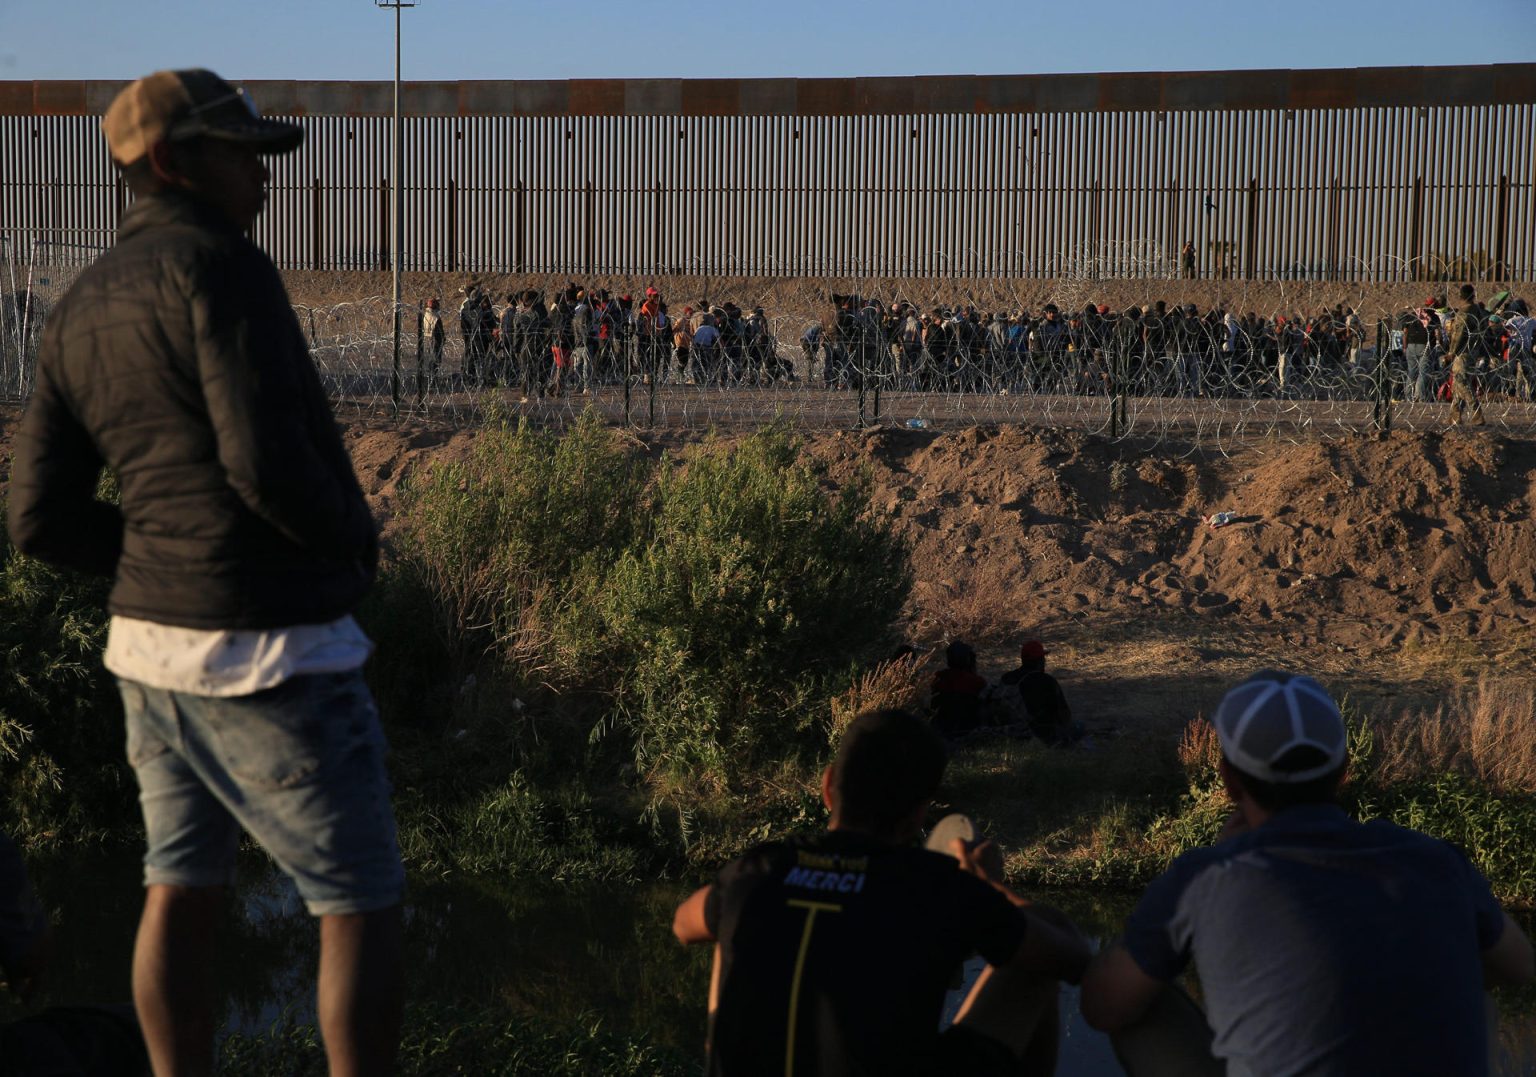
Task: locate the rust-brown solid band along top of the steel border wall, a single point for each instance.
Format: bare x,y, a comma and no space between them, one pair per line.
1505,84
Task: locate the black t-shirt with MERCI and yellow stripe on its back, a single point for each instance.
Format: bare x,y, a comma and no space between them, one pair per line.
836,952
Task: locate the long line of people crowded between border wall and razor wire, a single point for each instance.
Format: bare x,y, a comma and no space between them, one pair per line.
584,337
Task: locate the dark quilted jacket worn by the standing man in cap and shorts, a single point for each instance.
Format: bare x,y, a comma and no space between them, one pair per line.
177,362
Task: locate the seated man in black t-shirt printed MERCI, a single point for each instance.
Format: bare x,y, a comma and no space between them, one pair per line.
835,950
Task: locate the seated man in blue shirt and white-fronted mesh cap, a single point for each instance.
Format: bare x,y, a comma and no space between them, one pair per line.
1323,946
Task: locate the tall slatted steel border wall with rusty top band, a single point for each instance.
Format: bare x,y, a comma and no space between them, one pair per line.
1356,174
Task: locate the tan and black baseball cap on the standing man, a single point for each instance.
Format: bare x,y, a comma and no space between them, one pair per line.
177,105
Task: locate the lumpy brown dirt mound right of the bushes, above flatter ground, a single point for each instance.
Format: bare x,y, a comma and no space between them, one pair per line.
1357,545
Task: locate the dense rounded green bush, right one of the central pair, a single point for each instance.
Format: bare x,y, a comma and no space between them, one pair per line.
752,598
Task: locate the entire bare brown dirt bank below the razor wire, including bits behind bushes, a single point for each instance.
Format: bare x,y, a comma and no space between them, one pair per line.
1397,566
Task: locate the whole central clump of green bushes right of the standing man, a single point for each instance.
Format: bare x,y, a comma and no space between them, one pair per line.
670,628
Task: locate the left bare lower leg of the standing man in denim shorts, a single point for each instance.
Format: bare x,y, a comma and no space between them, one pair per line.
173,990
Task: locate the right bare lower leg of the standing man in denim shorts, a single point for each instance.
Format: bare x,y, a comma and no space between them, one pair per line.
360,992
